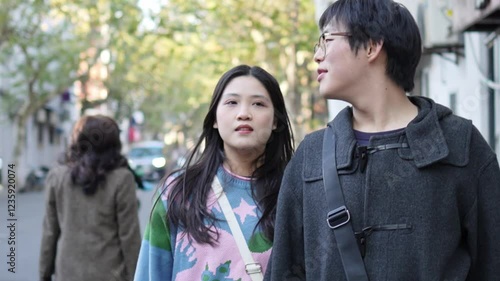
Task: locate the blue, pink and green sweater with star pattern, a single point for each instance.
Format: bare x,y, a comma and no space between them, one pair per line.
167,254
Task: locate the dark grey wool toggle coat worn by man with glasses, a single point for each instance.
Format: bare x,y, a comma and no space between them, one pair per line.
444,188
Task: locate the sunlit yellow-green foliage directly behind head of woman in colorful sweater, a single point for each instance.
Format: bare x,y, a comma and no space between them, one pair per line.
208,37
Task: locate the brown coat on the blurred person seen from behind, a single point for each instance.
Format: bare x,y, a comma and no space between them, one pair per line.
90,238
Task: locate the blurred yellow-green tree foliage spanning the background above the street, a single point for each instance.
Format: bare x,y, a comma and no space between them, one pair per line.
164,62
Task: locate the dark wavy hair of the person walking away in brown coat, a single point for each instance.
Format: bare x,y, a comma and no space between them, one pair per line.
95,150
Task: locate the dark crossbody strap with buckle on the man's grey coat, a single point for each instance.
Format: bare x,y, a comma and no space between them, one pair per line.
339,218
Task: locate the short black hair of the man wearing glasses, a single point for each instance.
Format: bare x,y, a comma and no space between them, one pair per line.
381,21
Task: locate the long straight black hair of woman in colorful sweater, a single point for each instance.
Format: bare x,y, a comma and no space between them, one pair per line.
188,194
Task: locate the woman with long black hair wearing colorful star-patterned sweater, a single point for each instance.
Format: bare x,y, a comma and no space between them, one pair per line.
245,145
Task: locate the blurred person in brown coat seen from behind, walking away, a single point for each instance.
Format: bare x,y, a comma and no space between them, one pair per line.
91,226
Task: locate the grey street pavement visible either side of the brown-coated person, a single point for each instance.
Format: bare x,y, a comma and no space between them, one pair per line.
28,228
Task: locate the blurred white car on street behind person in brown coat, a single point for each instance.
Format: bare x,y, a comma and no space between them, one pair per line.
147,159
